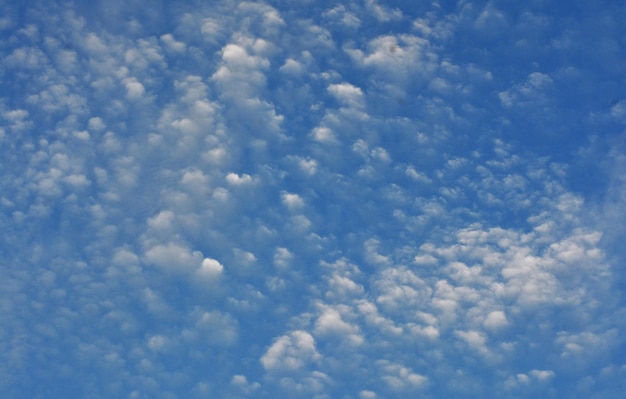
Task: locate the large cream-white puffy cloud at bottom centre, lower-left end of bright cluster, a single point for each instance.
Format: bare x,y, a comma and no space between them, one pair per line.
291,352
